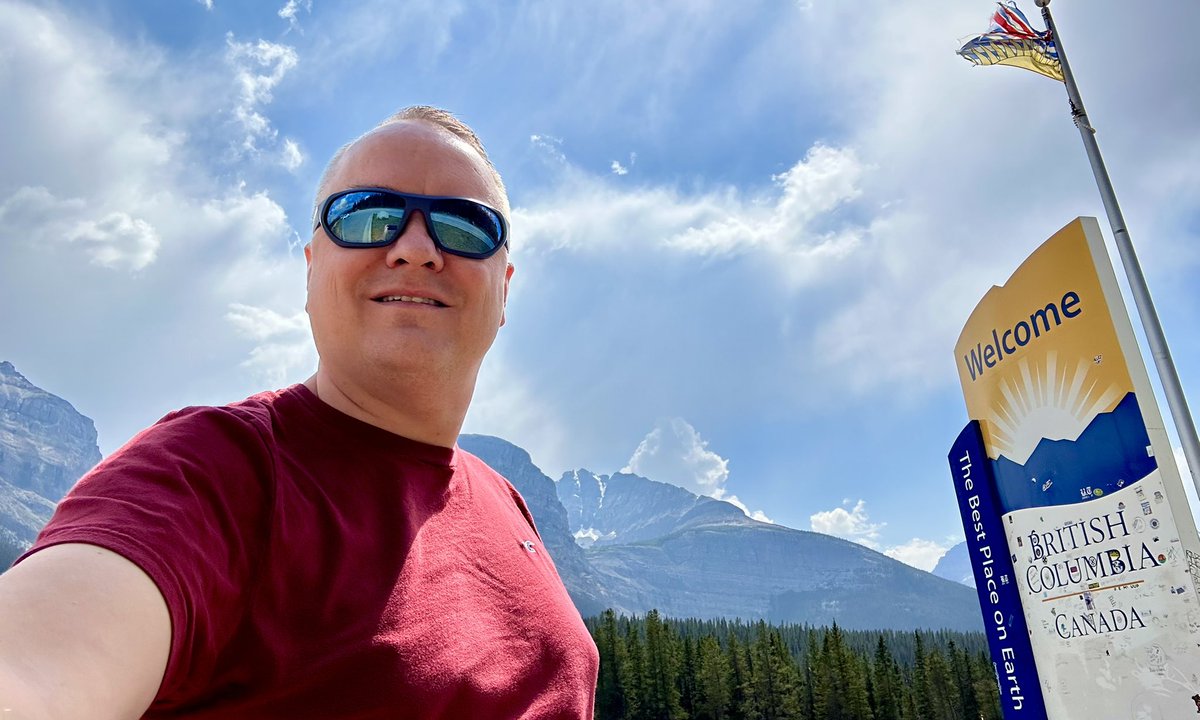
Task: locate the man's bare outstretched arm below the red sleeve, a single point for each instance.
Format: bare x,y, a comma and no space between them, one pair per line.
85,633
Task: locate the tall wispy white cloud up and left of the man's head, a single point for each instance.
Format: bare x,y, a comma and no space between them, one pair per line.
259,69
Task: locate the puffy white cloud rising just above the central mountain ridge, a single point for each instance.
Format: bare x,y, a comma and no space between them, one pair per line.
675,453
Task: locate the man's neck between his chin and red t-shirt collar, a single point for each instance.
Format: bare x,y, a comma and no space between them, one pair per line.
428,412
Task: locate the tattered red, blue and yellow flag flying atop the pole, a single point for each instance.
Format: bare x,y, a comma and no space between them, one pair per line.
1011,40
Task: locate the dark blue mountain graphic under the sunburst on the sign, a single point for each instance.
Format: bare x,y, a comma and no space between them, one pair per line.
1112,453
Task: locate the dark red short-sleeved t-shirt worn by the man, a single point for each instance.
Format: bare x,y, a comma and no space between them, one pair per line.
320,567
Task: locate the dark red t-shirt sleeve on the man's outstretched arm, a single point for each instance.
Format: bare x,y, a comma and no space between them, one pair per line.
187,501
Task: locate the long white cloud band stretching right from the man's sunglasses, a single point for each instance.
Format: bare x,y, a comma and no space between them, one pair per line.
587,214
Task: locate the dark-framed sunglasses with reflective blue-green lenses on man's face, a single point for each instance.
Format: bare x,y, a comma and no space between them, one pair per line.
376,218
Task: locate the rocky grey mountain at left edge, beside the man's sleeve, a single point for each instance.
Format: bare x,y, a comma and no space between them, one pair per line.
45,447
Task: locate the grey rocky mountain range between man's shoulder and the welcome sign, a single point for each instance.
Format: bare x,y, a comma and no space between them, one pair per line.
653,545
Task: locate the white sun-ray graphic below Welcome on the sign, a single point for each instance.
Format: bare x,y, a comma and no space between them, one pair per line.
1048,401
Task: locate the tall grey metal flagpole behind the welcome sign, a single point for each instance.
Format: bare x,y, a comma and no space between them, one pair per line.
1175,399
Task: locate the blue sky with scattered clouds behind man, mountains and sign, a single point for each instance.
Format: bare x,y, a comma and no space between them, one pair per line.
747,237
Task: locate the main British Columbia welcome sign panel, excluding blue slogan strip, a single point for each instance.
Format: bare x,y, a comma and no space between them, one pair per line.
1103,549
